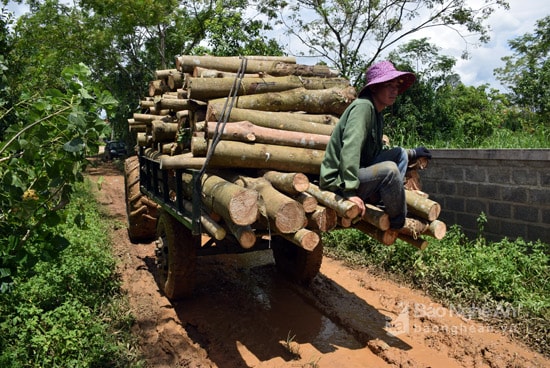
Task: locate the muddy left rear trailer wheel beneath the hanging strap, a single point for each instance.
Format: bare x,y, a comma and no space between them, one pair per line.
176,258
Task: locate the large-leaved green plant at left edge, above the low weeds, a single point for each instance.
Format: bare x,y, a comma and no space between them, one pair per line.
43,156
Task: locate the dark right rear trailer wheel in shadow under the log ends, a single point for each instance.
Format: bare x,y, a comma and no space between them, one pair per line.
296,263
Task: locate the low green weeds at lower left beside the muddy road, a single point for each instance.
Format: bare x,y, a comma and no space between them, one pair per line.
68,311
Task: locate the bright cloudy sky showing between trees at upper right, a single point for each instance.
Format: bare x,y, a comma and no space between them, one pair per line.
478,69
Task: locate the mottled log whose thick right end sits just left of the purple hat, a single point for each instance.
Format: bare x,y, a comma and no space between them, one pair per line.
322,101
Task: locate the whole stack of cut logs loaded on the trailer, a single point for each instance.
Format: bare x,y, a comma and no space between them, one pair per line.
258,127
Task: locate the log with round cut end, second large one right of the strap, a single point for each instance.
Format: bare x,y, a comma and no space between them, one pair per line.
286,214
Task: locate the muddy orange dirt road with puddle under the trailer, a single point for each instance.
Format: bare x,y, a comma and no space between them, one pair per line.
243,314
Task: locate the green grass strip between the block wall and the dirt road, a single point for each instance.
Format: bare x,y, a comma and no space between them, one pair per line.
505,283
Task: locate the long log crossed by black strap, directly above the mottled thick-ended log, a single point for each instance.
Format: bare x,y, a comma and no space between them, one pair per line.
212,88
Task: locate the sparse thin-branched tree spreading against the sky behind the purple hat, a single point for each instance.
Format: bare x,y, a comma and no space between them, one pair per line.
351,34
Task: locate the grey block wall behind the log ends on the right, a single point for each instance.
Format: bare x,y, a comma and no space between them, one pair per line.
512,188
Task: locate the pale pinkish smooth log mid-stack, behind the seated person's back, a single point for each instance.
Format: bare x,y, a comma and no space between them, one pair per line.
245,131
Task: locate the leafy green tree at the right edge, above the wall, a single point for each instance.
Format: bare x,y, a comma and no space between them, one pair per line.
527,72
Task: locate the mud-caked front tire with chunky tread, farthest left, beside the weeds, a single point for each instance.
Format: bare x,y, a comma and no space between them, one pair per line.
142,213
